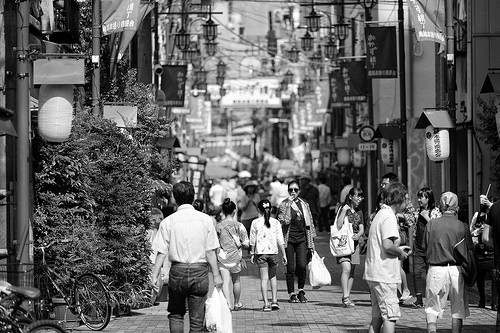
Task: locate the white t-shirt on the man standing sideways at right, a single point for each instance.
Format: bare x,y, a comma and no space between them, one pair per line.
380,266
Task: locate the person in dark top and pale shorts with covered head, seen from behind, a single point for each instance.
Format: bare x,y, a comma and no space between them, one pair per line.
444,276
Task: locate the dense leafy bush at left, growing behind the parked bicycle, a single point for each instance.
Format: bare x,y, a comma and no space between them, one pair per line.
95,190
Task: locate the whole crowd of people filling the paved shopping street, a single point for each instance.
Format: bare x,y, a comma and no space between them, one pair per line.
281,218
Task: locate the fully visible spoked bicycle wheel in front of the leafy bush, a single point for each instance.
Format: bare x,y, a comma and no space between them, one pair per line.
92,301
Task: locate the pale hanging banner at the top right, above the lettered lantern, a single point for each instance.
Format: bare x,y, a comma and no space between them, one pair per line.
428,18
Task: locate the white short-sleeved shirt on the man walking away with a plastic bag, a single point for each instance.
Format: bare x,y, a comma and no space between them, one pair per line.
186,235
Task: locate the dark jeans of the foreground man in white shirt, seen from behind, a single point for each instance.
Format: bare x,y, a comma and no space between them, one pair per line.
187,281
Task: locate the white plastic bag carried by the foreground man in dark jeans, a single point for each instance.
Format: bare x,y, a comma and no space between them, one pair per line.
217,313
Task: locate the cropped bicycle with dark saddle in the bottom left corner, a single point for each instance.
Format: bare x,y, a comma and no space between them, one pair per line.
16,319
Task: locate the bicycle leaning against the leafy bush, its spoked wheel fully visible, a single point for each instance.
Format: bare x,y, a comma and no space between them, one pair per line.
88,297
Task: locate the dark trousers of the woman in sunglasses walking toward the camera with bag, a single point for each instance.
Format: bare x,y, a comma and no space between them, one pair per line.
296,256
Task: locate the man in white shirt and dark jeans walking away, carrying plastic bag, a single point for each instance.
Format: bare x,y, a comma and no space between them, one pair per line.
189,240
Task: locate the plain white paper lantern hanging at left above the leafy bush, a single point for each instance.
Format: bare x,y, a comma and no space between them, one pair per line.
55,112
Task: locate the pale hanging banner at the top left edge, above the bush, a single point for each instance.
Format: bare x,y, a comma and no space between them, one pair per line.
118,15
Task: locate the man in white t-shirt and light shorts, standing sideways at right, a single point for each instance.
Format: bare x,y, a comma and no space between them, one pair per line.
382,267
